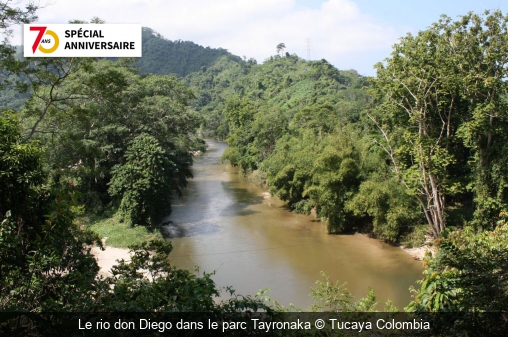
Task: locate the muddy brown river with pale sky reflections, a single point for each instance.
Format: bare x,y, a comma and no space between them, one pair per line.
228,225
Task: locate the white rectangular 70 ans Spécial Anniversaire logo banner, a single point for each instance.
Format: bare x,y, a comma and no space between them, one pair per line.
83,40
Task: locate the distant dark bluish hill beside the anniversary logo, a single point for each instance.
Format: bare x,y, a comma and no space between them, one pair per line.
165,57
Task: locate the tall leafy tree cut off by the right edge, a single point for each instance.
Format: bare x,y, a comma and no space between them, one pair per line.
484,67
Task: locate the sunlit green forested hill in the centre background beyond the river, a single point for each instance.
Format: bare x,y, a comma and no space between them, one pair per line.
281,86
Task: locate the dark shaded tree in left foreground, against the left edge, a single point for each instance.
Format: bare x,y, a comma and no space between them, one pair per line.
42,254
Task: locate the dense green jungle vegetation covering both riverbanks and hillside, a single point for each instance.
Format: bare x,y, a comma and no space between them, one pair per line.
418,149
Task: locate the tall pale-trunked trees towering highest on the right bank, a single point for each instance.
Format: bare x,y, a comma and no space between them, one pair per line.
440,93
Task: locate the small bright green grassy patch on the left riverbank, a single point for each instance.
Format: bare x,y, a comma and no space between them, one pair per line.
119,234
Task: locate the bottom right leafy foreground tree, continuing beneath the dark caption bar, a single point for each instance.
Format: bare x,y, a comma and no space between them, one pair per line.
467,279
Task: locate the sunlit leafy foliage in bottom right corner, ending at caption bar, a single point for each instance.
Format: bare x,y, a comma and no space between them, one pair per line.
469,273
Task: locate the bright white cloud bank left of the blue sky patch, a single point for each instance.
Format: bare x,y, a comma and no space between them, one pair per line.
337,28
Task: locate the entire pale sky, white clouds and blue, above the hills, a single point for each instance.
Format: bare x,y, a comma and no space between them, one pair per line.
351,34
